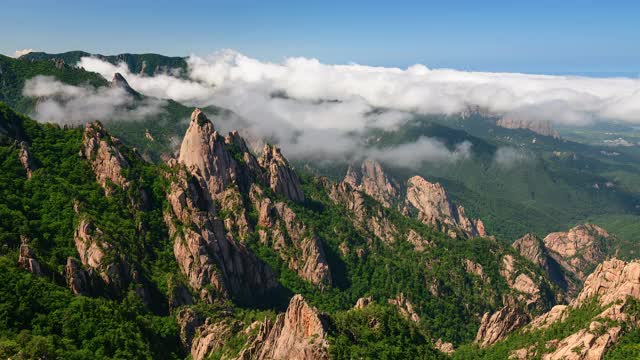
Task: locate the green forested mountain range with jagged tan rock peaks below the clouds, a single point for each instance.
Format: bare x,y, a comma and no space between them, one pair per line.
167,237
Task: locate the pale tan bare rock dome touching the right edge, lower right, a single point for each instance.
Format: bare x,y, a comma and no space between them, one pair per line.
612,281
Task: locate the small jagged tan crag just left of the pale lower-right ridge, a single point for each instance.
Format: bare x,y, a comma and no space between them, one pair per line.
495,327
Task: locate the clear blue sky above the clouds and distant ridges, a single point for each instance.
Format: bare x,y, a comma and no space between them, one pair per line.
533,36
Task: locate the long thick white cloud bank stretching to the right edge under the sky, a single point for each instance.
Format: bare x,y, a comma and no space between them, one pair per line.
315,109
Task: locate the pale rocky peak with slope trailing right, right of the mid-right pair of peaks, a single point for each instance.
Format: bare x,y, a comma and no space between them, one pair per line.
431,204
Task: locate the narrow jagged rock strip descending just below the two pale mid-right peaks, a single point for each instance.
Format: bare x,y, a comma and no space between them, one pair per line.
366,218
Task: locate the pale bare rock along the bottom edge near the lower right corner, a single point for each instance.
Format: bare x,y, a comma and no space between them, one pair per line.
585,344
